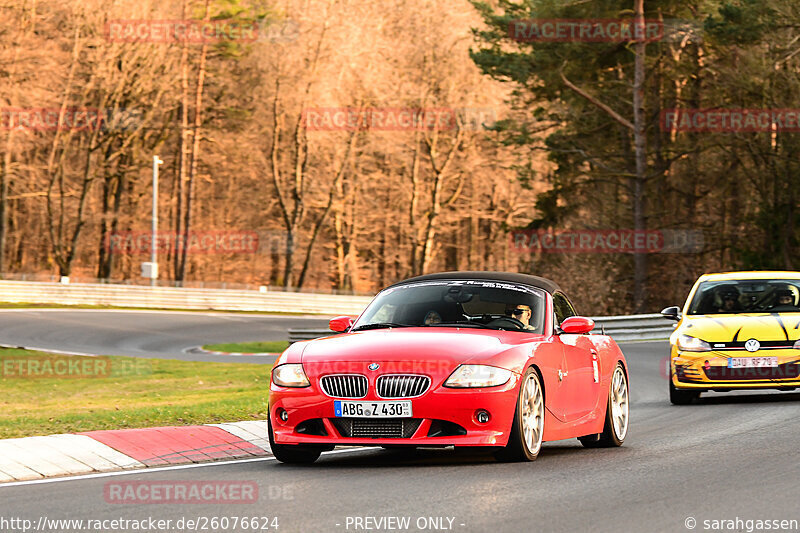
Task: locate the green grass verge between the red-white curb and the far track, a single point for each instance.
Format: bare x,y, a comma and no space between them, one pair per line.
49,393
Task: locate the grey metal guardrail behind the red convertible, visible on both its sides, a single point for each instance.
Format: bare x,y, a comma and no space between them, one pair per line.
620,328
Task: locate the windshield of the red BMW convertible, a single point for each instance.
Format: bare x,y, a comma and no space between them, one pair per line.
467,303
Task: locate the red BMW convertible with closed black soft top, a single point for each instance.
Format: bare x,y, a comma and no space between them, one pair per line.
479,359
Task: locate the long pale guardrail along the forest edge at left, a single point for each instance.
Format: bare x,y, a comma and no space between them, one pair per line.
179,298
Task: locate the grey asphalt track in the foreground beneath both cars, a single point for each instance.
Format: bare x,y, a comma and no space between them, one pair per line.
728,457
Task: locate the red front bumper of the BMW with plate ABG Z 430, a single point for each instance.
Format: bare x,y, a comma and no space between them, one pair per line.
441,417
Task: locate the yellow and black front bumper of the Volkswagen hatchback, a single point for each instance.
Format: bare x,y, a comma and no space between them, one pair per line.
709,370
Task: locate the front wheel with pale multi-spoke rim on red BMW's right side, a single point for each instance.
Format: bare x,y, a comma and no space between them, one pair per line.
525,440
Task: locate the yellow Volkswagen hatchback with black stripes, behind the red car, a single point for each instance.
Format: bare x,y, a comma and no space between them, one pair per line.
738,330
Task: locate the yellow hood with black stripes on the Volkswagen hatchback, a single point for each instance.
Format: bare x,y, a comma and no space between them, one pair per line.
743,326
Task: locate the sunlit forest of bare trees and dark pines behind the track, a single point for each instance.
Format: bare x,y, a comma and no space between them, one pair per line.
540,136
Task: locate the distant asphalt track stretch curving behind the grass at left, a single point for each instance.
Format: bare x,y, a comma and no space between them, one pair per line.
163,335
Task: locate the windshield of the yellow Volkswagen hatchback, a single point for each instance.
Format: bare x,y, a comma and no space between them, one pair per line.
746,296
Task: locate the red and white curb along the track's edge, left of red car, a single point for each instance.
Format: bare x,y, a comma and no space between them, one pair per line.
69,454
